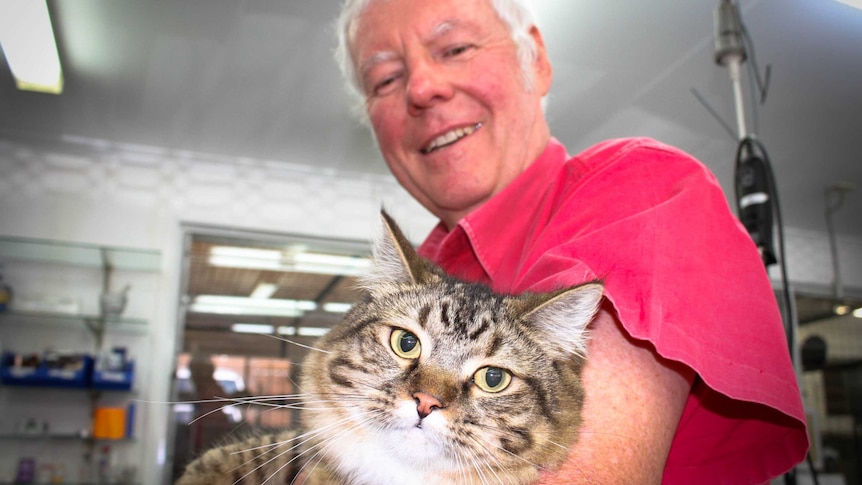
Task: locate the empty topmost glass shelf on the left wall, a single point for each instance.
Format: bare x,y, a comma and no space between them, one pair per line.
79,254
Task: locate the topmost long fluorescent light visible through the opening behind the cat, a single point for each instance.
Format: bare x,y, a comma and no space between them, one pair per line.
289,260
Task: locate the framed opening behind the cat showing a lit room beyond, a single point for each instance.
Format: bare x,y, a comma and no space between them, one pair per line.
252,305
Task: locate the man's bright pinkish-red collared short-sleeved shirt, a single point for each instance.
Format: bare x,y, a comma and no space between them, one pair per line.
681,272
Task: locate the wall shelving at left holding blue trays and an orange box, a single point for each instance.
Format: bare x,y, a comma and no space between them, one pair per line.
68,376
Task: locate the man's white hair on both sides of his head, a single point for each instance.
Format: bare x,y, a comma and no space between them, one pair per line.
514,13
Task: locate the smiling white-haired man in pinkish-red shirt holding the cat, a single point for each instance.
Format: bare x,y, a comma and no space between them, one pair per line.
688,378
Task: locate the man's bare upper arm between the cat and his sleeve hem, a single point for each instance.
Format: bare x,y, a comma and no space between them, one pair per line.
634,399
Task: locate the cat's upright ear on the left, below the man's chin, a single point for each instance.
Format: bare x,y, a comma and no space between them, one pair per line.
395,260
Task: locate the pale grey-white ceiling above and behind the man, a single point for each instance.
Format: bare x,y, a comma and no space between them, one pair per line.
255,78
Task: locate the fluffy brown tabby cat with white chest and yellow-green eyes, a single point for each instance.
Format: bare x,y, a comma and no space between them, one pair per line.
428,380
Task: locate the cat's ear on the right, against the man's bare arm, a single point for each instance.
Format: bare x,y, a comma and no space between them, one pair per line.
562,316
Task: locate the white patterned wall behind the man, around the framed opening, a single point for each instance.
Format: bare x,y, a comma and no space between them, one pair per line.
120,195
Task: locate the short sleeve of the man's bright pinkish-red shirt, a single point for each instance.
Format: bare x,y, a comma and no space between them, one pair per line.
680,270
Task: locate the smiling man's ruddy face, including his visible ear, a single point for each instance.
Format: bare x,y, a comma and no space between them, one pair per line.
448,99
